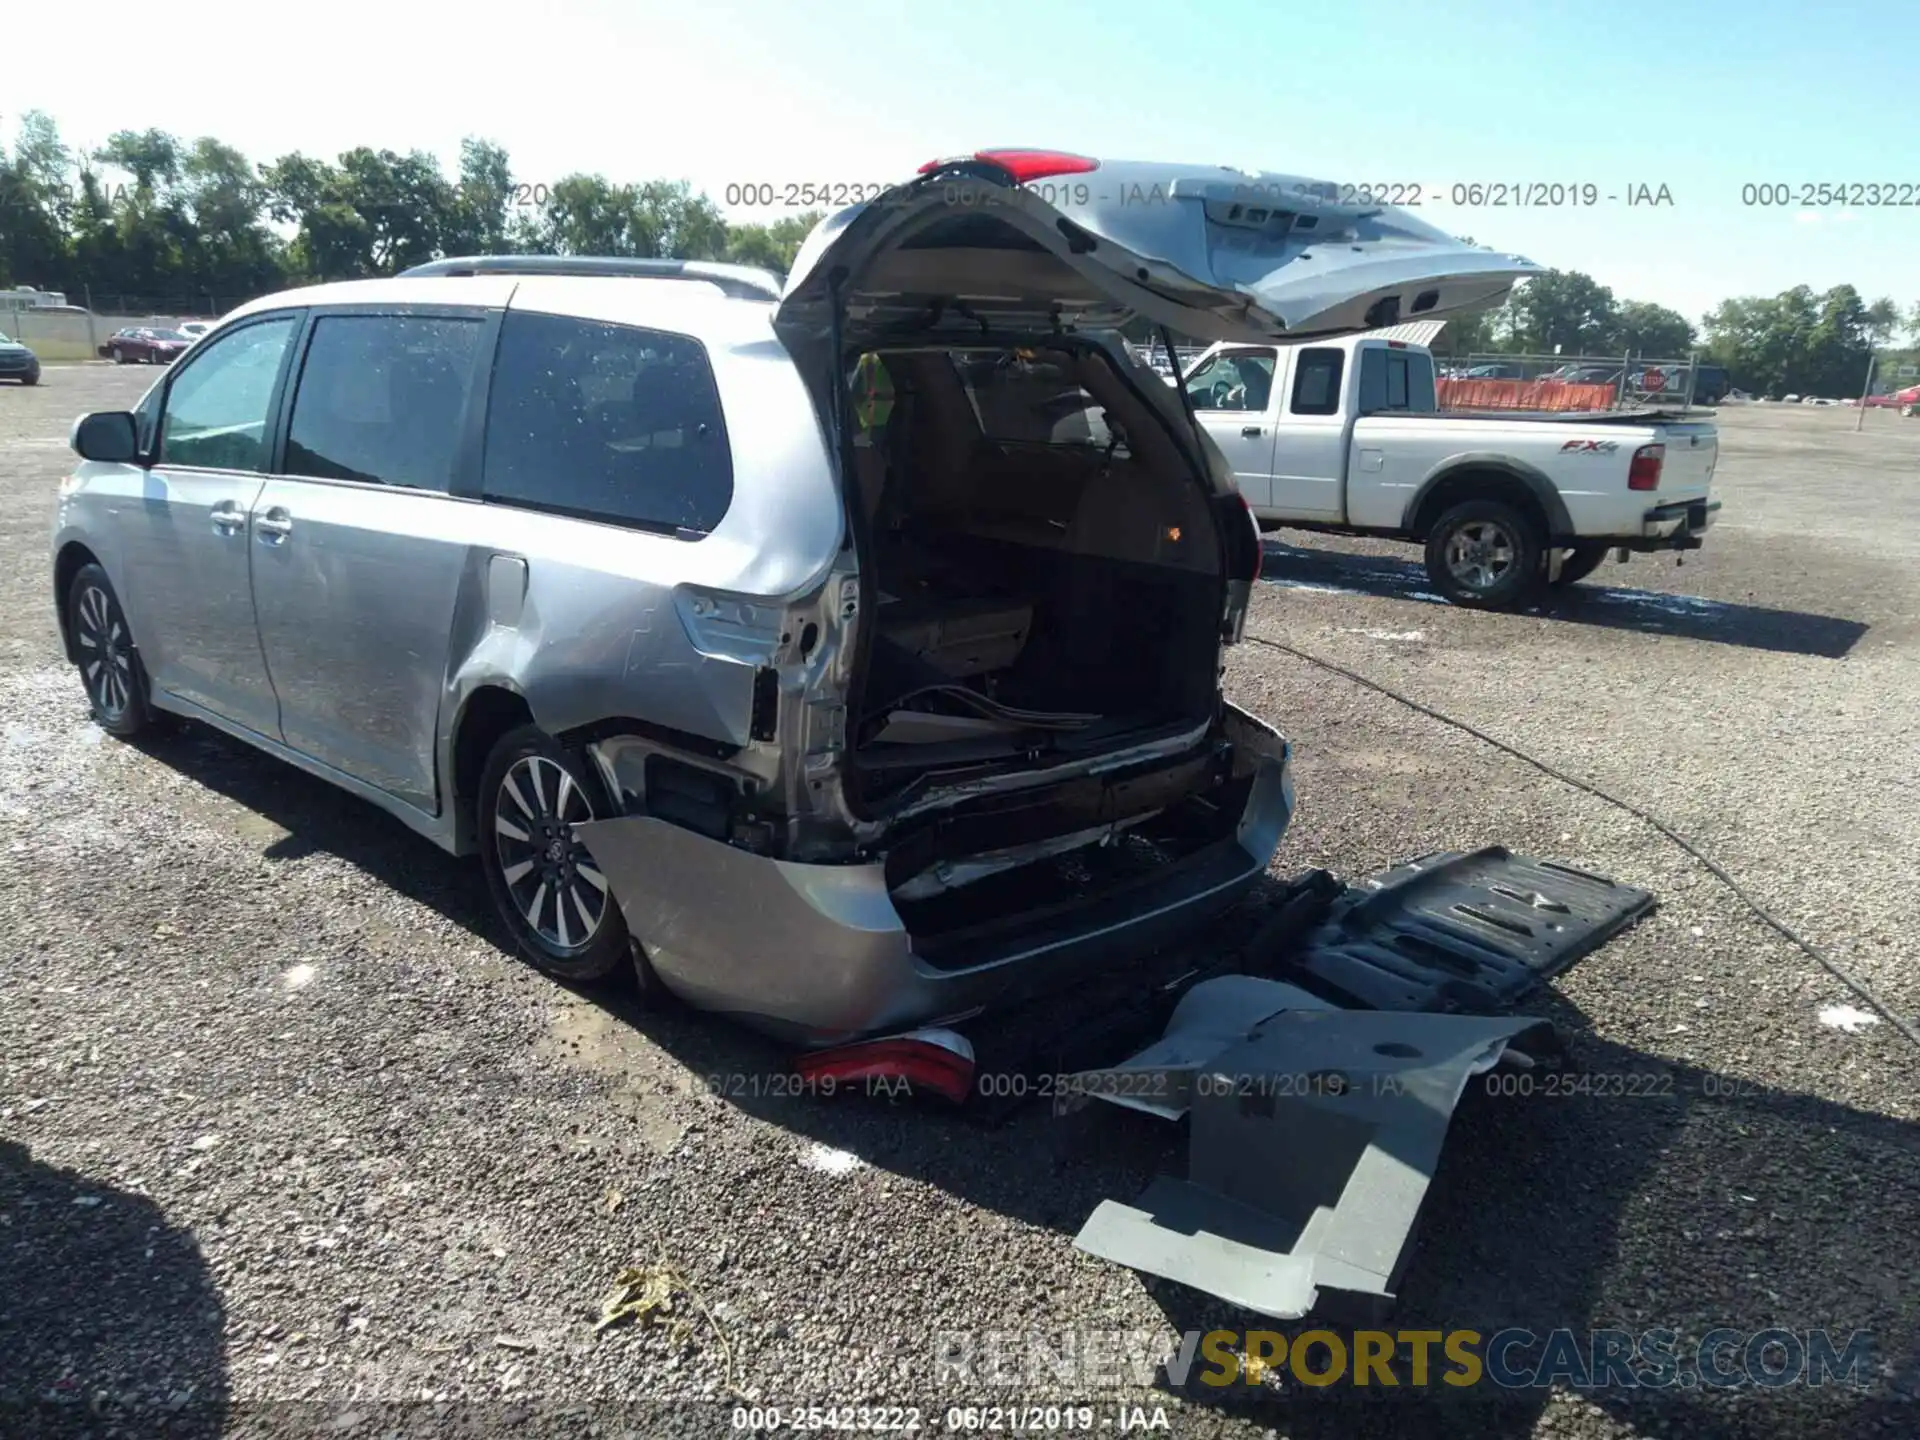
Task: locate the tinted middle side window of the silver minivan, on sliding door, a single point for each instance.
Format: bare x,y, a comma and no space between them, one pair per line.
381,398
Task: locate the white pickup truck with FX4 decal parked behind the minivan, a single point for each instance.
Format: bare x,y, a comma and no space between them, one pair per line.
1345,437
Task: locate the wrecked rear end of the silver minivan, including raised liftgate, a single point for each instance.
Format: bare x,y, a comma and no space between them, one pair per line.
992,748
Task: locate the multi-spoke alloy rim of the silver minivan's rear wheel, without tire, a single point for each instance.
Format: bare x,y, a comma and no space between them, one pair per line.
550,875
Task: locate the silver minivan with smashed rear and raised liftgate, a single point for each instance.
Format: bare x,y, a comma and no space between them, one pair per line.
844,656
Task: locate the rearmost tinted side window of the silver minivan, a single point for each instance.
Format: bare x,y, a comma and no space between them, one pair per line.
610,423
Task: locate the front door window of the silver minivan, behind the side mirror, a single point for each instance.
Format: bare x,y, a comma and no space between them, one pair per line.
216,410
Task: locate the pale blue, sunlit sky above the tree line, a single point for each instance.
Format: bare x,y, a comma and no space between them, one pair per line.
765,93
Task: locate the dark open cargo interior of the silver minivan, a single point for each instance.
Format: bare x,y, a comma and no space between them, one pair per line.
1045,569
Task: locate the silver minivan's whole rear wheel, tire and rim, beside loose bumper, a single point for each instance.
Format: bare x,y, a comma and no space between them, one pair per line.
544,884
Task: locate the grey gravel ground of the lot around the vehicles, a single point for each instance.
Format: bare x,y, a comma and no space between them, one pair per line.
281,1122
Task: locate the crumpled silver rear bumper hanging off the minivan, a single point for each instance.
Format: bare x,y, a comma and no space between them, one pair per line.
819,953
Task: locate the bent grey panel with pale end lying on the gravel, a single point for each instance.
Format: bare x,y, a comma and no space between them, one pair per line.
1314,1140
